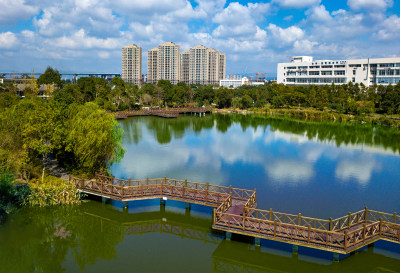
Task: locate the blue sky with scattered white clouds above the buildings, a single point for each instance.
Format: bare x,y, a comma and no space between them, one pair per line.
87,35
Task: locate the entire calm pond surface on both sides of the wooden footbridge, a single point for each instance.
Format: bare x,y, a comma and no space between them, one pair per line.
321,170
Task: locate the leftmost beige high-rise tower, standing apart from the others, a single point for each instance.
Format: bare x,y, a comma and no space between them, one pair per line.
132,64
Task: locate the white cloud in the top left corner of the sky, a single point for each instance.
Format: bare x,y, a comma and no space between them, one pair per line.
14,10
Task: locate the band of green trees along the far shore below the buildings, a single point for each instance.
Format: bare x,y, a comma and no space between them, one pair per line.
118,95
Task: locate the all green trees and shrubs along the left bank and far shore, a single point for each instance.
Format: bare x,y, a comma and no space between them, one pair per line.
73,122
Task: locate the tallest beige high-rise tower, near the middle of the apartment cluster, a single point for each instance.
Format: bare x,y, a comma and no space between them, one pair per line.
169,65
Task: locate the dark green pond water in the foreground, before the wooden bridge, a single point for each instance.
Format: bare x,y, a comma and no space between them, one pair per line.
95,237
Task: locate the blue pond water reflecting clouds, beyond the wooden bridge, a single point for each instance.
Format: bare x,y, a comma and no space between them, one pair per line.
324,169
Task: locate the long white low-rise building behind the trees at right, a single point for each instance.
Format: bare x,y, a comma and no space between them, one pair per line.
303,70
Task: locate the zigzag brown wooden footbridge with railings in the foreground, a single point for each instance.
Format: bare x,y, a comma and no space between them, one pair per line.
235,212
